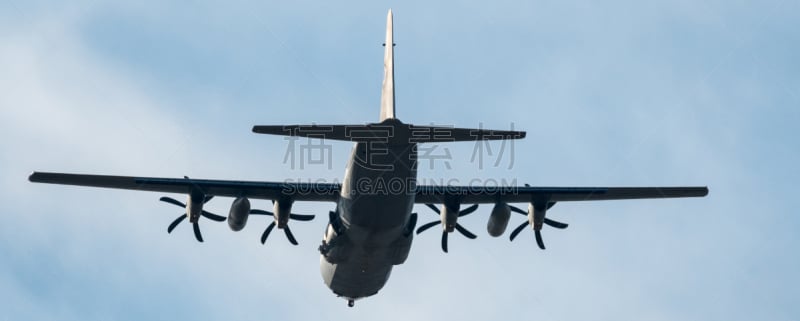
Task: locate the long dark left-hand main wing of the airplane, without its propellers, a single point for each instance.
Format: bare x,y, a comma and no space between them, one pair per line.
250,189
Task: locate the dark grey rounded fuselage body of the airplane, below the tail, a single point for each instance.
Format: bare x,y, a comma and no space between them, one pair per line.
374,219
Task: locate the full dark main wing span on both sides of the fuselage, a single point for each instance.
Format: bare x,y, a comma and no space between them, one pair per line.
330,192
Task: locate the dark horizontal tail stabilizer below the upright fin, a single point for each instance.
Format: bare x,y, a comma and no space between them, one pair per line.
391,131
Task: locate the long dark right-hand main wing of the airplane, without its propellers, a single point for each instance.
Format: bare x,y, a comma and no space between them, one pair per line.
526,194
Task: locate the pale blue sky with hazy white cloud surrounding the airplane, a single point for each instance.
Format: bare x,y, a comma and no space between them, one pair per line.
622,93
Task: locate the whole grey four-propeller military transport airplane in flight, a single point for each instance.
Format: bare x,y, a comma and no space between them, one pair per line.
370,231
